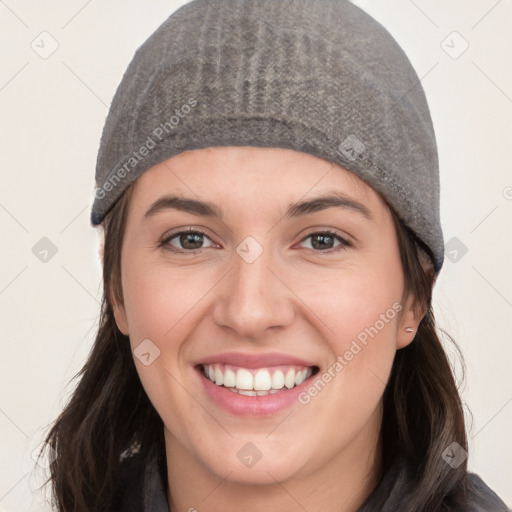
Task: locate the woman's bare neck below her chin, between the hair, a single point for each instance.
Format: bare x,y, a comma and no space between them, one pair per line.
342,484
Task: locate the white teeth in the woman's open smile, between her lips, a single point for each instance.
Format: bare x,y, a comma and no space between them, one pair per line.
257,381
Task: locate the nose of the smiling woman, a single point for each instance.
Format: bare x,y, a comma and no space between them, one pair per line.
253,298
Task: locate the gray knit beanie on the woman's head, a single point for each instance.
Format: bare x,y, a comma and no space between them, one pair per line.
317,76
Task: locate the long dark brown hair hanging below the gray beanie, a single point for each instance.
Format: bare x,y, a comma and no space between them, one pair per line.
109,413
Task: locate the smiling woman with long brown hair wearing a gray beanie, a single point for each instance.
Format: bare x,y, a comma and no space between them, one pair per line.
268,187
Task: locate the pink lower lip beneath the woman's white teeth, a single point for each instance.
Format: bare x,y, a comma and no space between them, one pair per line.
243,405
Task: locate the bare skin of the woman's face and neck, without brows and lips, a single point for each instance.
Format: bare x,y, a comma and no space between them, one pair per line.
293,299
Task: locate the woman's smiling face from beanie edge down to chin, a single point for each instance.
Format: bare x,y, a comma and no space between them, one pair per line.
288,300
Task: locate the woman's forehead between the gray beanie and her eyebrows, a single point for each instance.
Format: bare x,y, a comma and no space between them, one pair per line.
263,178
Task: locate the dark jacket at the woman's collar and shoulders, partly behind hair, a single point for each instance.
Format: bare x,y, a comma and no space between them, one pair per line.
143,489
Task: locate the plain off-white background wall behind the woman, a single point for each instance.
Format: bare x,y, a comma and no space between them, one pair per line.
52,113
